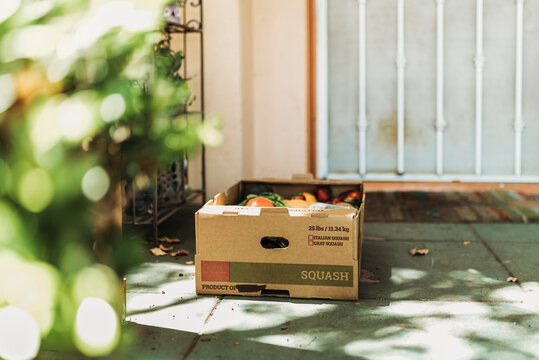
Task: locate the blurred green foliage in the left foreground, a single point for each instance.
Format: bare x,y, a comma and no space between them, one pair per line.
89,95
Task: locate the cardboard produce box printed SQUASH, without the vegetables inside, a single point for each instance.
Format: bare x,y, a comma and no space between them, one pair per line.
299,253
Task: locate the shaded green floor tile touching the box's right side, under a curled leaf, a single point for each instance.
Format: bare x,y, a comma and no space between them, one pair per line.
451,270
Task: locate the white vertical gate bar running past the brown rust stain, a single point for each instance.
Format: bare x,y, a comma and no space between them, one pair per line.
401,63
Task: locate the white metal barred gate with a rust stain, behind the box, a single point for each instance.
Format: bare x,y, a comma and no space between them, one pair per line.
395,78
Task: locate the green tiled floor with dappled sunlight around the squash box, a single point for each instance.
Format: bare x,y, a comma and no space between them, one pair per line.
452,303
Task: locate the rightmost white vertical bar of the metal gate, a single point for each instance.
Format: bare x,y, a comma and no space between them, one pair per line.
519,123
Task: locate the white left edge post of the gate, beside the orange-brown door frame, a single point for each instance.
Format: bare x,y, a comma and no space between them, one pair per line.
322,97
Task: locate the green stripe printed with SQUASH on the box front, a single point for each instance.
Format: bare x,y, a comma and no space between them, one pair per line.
294,274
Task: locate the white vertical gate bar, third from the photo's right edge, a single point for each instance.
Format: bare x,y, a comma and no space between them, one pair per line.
440,121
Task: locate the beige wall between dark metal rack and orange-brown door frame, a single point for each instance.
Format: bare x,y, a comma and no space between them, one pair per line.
255,78
